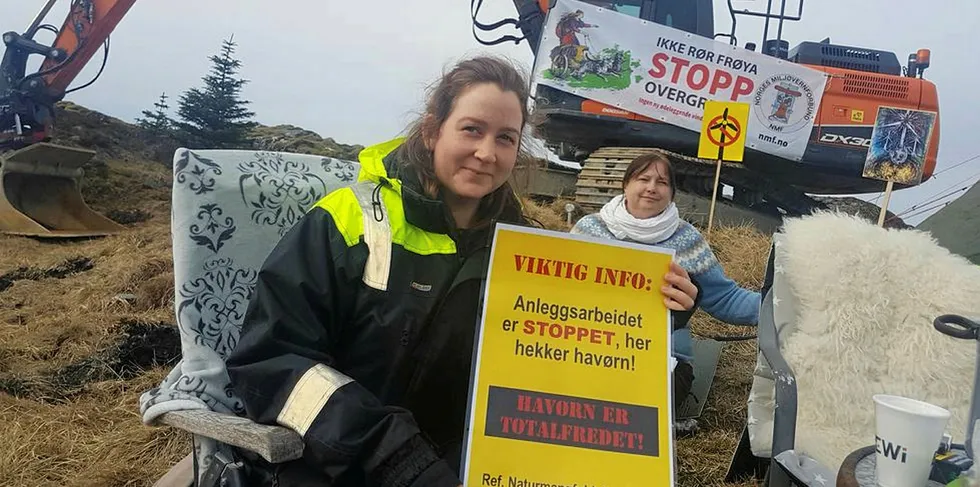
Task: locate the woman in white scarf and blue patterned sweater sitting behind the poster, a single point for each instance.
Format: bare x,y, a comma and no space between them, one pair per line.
646,213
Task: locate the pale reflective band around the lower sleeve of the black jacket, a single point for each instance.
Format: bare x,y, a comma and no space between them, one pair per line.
308,397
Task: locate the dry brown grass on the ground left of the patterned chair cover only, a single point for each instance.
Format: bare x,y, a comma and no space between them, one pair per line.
58,334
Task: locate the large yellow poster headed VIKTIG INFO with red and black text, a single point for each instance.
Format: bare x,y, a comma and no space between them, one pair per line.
570,380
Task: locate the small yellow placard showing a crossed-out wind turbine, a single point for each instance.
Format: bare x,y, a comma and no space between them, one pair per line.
723,131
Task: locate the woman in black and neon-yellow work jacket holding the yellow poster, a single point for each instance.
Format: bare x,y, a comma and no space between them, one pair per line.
359,334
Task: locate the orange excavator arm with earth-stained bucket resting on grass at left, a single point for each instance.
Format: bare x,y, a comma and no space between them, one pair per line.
39,181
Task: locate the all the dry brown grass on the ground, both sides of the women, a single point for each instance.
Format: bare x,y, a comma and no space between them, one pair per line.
88,432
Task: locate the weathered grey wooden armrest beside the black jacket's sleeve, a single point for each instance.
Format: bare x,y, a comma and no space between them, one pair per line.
276,444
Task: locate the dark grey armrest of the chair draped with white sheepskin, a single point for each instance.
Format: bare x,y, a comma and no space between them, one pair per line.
784,416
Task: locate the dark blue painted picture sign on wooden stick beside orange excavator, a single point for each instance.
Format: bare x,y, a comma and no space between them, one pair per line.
899,144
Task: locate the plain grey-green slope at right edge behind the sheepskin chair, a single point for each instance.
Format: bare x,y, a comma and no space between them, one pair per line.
957,225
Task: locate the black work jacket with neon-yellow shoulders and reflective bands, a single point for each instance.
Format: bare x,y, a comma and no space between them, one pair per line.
375,378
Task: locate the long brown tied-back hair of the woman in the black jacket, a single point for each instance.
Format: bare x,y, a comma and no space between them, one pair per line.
440,102
